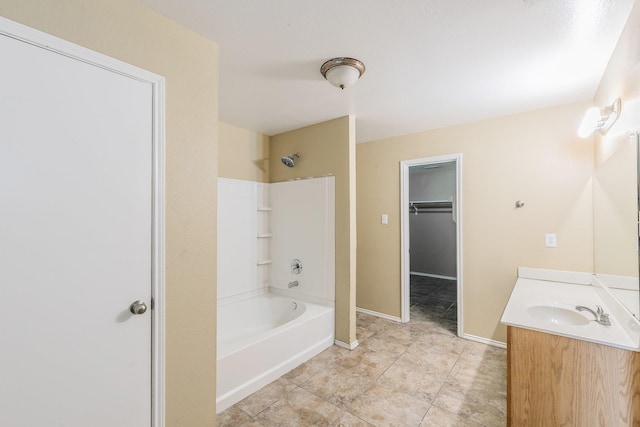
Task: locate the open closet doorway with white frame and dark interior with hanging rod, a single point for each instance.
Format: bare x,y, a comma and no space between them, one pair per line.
431,241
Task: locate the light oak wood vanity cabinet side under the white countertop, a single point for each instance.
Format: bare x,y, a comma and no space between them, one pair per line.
559,381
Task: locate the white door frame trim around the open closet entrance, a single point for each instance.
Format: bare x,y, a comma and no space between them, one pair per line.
405,232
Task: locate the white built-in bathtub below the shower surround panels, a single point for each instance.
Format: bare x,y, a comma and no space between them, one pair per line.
263,337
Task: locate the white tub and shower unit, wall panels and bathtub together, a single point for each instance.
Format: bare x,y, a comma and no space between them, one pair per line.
271,236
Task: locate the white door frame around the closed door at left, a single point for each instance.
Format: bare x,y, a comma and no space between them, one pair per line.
56,45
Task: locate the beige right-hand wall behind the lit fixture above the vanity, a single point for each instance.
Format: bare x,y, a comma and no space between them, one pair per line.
615,189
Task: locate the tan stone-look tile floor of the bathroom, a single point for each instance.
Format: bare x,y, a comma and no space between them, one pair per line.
413,374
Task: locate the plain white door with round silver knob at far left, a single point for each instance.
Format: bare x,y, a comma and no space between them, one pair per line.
75,241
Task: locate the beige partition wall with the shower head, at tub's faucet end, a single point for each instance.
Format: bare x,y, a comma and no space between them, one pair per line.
328,148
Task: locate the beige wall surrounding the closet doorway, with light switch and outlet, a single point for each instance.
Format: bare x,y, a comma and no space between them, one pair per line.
535,157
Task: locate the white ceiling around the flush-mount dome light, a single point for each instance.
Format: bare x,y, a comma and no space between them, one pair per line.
429,63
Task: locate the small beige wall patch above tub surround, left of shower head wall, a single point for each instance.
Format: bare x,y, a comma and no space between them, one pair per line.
243,154
